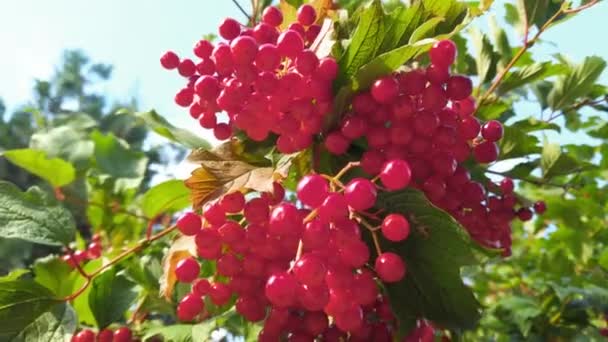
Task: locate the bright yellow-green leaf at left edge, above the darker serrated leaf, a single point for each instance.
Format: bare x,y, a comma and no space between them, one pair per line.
56,171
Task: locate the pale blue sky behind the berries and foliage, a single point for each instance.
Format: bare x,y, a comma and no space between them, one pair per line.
132,35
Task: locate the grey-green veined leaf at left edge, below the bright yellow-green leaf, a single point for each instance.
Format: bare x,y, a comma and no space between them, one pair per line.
30,216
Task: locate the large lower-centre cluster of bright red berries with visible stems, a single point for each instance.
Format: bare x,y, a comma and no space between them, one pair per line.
309,261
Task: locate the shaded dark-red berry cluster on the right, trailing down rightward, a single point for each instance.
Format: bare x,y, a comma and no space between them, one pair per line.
425,116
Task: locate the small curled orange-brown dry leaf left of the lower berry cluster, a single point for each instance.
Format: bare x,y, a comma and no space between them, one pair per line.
181,248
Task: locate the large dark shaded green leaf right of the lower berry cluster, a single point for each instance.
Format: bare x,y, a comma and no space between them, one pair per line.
434,253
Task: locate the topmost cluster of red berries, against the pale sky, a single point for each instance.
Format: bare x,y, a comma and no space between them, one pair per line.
267,81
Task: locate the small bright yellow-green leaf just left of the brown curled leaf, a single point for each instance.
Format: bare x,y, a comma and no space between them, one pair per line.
169,196
